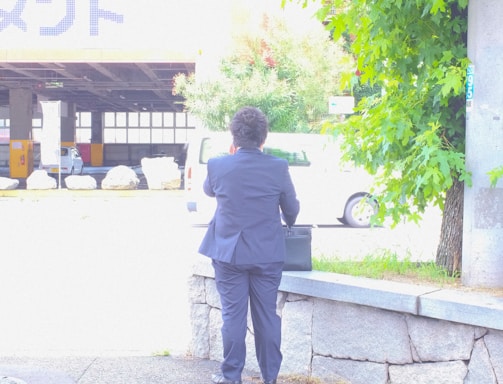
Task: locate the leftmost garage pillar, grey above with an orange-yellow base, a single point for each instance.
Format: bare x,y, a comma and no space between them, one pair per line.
21,143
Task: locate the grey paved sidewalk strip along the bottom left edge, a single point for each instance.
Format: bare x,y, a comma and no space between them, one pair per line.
111,370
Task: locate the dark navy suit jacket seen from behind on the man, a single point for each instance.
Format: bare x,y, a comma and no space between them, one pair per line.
251,188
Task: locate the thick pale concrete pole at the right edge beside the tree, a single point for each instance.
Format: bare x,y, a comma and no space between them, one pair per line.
483,206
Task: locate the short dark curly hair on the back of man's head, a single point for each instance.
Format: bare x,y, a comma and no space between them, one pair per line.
249,127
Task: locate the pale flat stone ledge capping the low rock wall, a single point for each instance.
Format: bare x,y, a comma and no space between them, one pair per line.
460,307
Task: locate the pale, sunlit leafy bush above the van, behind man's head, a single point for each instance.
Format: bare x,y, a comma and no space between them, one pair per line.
287,74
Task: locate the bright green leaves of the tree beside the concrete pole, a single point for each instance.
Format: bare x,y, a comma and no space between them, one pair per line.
412,134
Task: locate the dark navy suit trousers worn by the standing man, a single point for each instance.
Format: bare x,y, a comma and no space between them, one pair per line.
259,283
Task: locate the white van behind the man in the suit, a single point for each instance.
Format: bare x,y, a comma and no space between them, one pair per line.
329,192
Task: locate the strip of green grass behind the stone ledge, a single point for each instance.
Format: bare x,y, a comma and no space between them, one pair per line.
387,267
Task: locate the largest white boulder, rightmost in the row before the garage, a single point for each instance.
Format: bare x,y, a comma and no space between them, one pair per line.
160,172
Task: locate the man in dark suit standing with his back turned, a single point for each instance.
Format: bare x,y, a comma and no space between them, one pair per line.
246,242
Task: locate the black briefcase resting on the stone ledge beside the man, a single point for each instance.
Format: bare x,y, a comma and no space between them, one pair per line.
298,249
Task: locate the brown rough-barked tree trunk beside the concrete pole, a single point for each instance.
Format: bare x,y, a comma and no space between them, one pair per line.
451,234
